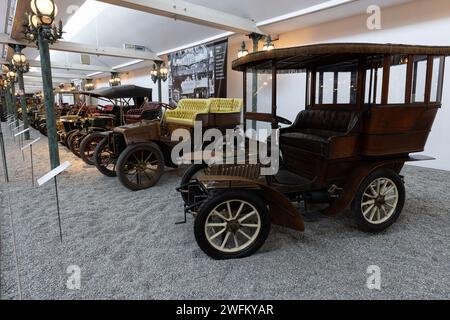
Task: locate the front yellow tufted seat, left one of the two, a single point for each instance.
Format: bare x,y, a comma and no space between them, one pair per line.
187,111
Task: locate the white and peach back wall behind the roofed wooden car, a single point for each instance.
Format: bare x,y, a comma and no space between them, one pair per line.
425,22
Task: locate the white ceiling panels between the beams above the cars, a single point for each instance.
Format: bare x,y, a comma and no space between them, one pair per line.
97,23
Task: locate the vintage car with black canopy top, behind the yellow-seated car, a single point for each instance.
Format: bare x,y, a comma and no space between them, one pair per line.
118,101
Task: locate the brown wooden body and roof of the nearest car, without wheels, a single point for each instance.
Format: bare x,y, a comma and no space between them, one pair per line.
334,145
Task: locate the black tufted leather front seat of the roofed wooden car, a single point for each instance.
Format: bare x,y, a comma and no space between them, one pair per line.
313,130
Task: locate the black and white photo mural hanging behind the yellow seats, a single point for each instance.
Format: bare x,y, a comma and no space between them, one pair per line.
199,72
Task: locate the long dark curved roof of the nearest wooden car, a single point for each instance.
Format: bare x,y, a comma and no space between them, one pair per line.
302,57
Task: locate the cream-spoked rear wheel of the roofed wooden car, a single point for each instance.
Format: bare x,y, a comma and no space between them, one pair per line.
379,200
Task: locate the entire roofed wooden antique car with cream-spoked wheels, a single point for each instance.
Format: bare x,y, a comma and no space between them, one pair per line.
367,108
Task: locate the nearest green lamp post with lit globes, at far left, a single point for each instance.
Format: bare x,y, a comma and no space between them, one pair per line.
40,28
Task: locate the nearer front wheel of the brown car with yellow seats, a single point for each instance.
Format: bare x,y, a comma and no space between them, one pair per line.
140,166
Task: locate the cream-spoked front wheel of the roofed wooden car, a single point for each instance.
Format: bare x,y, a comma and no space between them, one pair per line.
232,224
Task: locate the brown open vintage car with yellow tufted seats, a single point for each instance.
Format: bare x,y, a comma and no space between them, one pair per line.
137,153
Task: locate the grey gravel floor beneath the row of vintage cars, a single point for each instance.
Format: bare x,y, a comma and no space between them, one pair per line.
128,246
